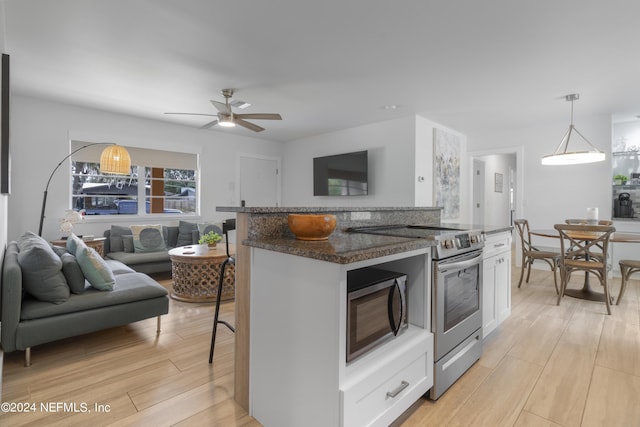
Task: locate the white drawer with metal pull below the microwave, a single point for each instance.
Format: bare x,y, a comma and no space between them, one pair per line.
362,406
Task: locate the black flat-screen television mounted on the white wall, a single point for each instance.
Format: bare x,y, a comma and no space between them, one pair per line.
341,175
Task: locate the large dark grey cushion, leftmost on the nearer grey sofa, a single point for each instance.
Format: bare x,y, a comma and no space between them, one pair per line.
41,268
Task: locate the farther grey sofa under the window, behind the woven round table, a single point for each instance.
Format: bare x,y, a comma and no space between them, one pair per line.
151,255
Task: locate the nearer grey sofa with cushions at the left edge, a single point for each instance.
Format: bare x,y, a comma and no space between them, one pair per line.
53,293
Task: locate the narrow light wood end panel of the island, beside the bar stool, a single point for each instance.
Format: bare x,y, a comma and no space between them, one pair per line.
242,314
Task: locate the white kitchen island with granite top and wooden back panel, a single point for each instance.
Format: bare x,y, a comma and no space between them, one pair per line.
290,318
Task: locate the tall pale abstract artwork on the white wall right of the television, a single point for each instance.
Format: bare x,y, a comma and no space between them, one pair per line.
446,171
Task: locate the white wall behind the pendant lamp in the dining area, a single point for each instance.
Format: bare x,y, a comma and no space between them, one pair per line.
553,193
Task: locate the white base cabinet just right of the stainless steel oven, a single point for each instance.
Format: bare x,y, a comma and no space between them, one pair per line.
496,281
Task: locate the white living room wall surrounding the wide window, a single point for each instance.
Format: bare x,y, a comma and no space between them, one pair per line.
41,131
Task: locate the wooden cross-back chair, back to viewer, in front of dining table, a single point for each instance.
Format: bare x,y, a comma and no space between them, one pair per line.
578,243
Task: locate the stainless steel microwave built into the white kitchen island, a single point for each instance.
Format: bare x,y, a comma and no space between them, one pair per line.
376,308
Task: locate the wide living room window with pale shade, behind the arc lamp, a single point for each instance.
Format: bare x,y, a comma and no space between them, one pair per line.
160,182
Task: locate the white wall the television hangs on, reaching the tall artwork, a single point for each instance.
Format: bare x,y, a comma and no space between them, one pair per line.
400,151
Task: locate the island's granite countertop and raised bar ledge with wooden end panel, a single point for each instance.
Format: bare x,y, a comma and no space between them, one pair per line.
266,228
